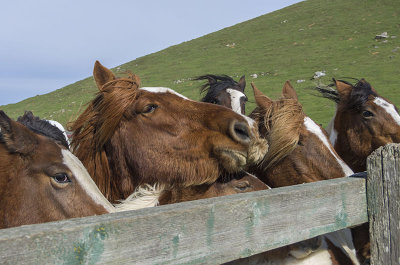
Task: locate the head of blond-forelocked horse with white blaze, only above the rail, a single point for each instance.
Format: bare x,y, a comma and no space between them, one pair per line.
299,149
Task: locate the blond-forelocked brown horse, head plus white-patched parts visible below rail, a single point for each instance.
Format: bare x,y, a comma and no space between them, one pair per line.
299,152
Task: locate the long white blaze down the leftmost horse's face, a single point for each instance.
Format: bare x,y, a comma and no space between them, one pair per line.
85,181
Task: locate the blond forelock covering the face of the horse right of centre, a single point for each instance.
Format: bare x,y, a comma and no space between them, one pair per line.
282,121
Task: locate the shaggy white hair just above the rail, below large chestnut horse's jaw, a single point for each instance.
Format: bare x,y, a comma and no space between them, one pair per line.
145,196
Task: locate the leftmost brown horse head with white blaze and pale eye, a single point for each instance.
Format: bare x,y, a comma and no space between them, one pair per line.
41,181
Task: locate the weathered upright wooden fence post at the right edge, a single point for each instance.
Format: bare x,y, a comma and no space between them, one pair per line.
383,199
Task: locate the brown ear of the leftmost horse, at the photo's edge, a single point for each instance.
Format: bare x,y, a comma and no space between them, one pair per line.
17,138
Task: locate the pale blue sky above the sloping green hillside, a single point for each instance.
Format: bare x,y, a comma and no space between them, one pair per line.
46,44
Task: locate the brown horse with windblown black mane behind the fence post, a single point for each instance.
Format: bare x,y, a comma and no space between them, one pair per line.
363,121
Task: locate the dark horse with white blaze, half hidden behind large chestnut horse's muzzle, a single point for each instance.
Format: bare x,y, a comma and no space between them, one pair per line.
224,91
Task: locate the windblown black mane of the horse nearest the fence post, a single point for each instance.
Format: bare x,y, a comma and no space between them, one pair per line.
360,92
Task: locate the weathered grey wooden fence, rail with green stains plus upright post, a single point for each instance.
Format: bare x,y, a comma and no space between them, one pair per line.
223,229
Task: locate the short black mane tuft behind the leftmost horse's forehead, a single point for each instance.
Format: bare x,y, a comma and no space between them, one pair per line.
43,127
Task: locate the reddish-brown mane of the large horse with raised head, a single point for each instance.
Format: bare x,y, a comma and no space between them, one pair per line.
97,124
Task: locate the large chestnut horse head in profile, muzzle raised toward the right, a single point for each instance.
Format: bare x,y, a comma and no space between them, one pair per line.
129,136
